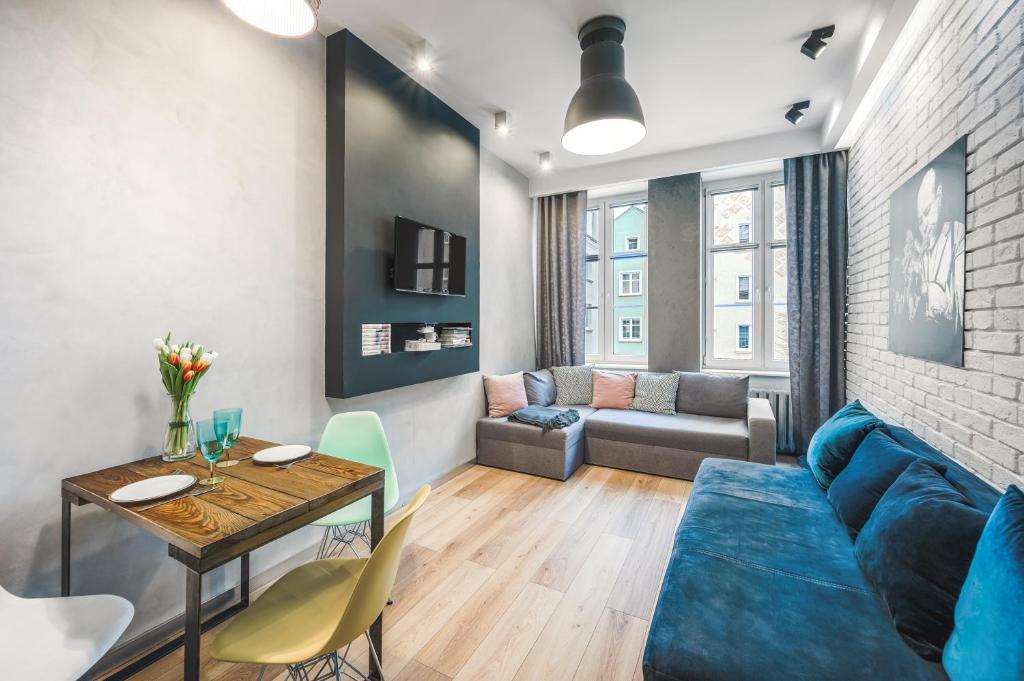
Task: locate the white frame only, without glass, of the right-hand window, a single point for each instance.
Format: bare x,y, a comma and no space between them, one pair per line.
763,246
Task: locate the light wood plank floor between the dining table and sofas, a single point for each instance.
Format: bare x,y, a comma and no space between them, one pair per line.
515,578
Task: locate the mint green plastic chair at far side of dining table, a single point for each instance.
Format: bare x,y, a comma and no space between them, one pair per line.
357,437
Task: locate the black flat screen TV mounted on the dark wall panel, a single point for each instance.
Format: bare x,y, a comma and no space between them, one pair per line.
429,261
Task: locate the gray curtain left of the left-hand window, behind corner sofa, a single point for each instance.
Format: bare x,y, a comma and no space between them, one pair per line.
563,280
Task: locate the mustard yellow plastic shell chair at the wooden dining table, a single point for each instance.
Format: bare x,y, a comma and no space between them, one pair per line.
308,616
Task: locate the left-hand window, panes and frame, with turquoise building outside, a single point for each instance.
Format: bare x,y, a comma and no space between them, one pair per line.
617,267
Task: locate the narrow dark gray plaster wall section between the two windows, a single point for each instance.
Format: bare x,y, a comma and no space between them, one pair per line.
674,233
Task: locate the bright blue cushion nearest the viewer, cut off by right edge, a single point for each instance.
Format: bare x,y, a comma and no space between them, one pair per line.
988,644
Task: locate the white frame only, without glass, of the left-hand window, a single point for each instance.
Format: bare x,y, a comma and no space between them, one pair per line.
606,317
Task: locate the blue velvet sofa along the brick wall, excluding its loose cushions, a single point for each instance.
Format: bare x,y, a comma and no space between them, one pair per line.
763,584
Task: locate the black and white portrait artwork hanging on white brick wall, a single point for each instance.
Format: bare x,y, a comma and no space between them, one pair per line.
927,218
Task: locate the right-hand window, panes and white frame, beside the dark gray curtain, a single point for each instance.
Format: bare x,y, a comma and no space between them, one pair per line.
746,275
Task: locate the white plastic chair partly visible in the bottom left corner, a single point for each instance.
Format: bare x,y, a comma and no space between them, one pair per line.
59,639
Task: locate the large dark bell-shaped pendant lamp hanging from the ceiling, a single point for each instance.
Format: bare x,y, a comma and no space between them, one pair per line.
605,115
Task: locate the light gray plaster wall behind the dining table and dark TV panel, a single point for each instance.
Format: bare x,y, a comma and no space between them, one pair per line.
162,167
